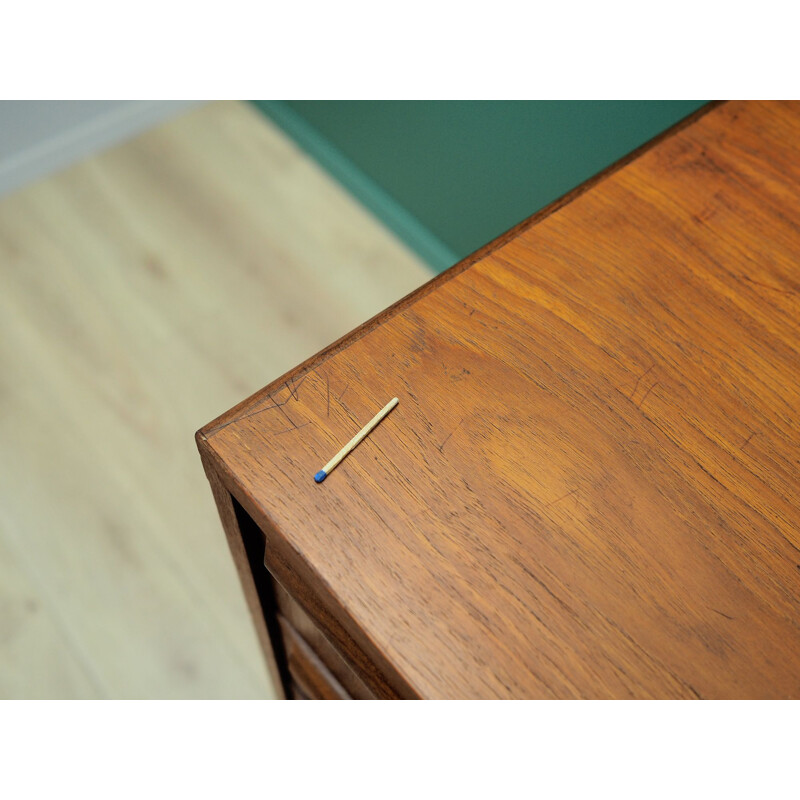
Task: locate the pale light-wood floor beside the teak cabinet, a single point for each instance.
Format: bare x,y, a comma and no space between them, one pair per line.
142,292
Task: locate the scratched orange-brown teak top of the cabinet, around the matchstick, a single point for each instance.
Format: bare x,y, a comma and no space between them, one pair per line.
590,485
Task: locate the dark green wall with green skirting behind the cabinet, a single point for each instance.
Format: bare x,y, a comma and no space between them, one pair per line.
449,176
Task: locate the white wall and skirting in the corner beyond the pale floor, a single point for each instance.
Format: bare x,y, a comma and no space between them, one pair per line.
38,137
